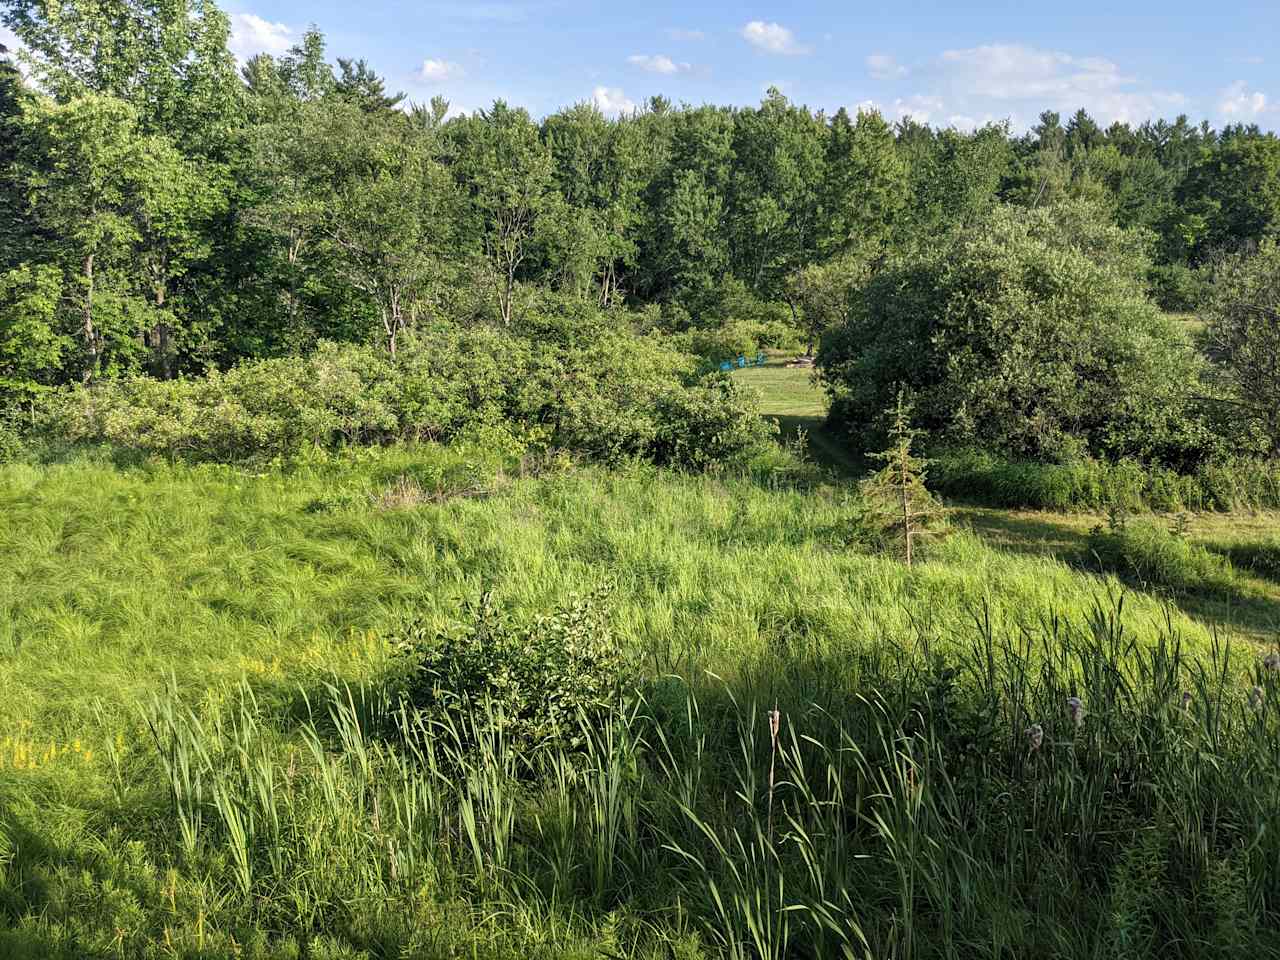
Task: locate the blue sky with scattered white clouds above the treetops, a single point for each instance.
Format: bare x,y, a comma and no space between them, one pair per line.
949,62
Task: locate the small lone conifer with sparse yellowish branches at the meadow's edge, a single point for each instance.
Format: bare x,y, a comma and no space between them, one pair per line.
897,491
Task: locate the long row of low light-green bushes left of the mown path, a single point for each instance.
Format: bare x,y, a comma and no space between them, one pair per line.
578,382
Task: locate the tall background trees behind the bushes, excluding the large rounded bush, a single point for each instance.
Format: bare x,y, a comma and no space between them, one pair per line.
167,213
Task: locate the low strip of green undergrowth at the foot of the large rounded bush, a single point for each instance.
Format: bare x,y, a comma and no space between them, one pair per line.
1094,484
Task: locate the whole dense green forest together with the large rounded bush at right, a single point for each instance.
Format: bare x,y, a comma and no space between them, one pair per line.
172,214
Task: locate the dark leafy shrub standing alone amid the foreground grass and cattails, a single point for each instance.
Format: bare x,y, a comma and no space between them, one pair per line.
534,683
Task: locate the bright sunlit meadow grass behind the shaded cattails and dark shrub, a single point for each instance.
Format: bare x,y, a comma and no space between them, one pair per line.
121,578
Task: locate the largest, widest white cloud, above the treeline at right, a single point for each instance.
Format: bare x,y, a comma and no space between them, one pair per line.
999,75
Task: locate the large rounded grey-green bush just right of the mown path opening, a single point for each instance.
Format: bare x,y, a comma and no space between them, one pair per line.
1031,333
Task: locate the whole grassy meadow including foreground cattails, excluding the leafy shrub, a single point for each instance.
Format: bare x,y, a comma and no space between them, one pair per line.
221,616
